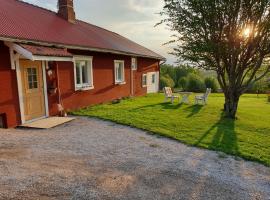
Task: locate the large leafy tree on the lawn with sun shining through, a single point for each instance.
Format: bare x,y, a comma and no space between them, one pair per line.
230,37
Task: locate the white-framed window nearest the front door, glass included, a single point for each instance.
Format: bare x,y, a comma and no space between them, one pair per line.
83,73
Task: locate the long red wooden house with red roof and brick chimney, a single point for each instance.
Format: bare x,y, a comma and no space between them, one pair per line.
49,58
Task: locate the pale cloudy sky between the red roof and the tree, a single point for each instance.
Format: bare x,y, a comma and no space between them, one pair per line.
134,19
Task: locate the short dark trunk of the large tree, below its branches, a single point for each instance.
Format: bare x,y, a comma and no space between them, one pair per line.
231,105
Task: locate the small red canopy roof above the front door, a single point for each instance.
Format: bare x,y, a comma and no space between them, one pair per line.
46,51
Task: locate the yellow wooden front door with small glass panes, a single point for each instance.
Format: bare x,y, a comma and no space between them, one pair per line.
32,89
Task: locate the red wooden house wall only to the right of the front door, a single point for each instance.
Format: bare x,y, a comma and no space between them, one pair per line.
104,88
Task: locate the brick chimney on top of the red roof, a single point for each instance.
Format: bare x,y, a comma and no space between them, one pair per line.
66,10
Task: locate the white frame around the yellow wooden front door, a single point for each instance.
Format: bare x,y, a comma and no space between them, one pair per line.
44,64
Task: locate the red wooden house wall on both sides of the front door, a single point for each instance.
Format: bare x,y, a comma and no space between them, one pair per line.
104,88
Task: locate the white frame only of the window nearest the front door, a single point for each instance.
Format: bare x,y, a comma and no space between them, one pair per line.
90,85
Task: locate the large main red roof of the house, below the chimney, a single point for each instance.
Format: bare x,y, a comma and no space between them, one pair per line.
26,22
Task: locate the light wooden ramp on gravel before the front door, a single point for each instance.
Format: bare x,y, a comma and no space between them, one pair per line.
48,122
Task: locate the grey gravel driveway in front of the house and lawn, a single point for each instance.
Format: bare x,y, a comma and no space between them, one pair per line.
93,159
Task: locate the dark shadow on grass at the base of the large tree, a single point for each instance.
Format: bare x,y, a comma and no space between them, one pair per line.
224,136
